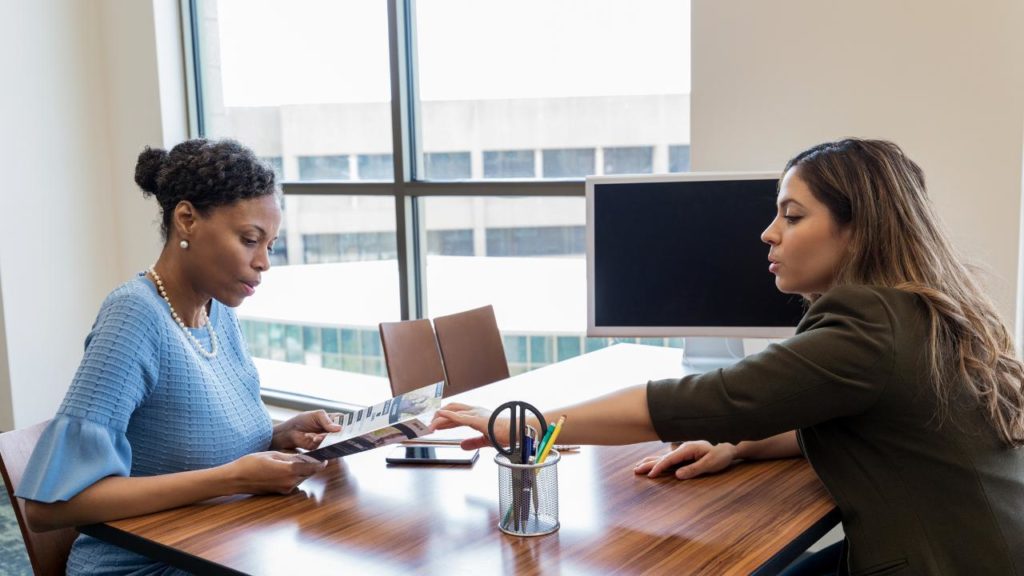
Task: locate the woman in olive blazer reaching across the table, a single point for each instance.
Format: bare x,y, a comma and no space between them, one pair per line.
902,387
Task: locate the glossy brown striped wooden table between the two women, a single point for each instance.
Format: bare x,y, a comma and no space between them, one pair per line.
362,517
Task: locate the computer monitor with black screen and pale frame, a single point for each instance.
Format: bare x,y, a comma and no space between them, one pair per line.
681,256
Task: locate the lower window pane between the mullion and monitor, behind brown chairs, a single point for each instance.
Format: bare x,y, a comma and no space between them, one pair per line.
523,256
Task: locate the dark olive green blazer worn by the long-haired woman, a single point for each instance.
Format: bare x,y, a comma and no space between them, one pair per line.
918,495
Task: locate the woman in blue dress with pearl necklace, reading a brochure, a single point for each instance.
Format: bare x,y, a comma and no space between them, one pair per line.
165,409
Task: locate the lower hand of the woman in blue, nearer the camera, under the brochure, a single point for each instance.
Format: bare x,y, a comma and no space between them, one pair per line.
264,473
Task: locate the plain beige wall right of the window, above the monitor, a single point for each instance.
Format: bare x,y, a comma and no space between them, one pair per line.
945,80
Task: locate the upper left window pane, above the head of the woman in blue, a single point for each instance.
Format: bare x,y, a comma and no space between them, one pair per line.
281,77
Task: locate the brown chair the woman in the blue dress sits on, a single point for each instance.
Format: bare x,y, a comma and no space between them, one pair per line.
48,551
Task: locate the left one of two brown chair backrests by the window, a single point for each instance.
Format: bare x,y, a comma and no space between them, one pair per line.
411,355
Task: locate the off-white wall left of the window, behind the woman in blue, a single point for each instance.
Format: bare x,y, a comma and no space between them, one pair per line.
84,99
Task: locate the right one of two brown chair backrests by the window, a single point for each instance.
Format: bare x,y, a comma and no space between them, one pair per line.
472,350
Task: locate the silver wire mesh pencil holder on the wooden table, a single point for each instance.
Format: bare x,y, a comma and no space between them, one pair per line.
528,497
